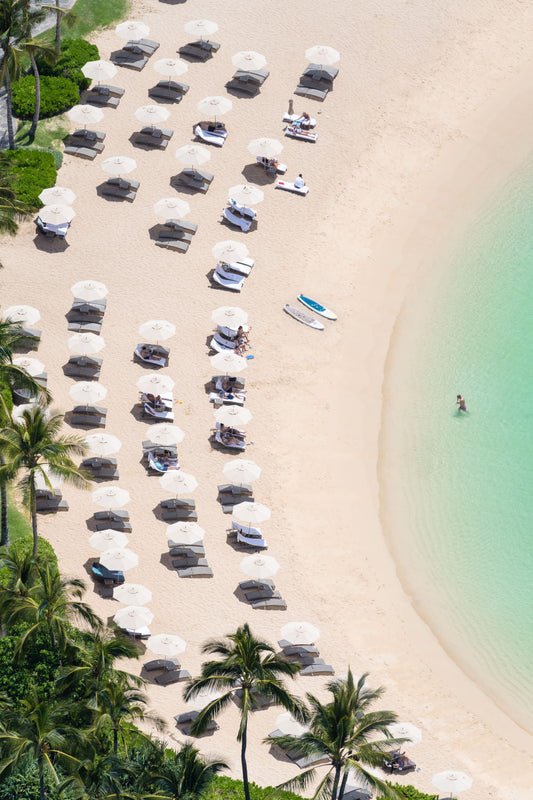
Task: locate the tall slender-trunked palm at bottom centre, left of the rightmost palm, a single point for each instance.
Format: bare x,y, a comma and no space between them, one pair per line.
248,667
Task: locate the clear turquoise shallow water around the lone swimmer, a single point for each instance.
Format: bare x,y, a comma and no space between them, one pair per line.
461,485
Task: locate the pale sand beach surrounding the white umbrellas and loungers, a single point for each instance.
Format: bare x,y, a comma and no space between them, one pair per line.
430,112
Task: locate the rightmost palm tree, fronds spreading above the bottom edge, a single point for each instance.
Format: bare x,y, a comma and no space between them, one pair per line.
344,730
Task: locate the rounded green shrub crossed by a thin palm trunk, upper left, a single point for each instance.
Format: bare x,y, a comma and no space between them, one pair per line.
57,95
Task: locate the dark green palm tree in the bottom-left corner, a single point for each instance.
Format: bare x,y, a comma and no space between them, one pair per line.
38,734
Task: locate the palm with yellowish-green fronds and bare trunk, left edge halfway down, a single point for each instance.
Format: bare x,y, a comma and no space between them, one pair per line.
32,443
